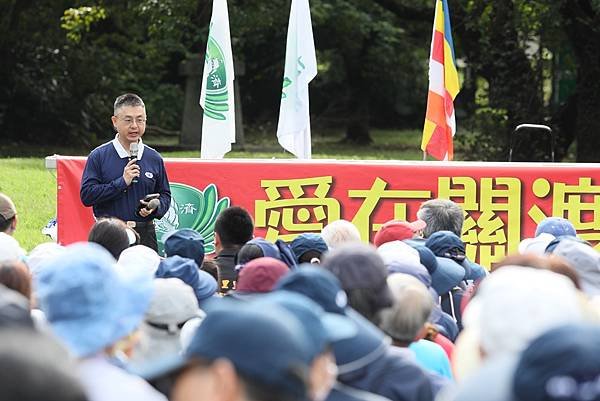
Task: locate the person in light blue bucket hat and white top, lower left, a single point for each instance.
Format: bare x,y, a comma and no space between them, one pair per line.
93,307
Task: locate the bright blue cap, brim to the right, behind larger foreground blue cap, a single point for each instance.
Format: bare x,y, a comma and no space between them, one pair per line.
321,328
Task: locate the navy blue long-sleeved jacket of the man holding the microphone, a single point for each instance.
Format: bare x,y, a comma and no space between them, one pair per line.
103,186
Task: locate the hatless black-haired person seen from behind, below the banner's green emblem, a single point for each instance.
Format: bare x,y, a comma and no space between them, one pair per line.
233,228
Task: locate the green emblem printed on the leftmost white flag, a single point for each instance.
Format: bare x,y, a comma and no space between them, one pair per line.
216,82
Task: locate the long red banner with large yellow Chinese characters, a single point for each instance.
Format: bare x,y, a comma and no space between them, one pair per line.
503,202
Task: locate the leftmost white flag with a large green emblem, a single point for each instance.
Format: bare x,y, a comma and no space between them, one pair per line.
217,99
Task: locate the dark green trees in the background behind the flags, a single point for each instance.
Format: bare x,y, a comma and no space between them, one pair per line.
64,62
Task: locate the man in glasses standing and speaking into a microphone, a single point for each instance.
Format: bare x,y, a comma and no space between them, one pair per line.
126,179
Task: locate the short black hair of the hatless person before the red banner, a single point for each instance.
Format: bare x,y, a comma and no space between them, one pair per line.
234,226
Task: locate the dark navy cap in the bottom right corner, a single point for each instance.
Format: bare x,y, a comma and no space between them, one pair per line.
561,364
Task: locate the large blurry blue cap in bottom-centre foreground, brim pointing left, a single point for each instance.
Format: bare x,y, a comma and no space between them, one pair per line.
265,344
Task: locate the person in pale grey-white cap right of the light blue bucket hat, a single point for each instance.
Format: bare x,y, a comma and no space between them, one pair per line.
173,304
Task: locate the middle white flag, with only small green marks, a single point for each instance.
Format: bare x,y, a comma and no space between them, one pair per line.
293,130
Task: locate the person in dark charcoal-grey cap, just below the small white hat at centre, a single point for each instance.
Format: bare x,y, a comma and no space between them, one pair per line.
362,273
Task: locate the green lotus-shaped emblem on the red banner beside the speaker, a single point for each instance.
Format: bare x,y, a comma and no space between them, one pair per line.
191,208
